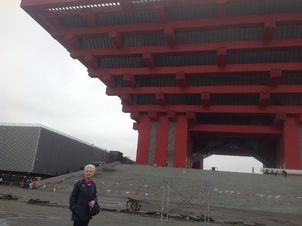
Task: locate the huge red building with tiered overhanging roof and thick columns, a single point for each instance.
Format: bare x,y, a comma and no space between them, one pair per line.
199,77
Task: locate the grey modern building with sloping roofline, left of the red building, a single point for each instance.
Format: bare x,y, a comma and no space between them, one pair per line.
34,148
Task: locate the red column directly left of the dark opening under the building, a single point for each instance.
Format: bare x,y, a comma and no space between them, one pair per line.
181,141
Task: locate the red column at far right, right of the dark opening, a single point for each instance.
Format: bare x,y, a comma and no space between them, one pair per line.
291,154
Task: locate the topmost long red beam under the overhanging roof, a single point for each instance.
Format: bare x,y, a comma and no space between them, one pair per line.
186,25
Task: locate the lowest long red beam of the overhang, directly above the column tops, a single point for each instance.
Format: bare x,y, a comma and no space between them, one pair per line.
233,109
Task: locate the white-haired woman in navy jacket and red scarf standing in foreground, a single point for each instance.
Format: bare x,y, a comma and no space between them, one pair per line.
83,197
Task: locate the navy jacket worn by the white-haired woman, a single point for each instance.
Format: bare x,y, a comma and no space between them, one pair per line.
78,201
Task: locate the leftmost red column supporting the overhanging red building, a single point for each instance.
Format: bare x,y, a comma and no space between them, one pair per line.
143,140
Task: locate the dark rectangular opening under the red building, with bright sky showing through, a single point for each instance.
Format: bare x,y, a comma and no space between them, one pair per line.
260,151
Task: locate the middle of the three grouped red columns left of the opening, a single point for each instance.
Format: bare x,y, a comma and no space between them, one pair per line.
161,140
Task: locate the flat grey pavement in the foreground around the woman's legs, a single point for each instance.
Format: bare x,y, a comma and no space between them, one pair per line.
21,214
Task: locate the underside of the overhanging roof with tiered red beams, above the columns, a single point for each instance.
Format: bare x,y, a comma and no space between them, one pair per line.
166,55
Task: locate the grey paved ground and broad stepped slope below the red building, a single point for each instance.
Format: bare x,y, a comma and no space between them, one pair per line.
234,211
